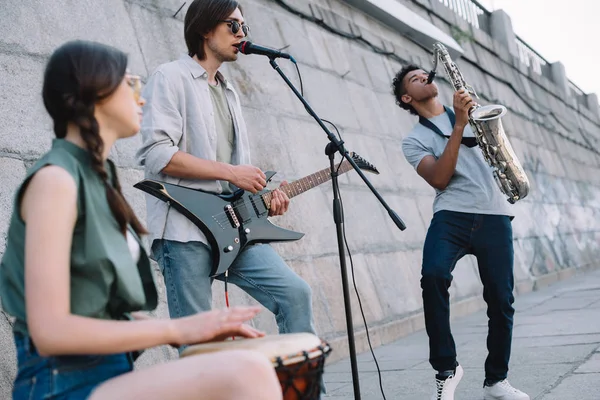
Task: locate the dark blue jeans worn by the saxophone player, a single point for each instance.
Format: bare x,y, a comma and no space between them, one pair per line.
451,235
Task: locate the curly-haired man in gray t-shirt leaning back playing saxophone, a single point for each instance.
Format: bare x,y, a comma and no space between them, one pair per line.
470,216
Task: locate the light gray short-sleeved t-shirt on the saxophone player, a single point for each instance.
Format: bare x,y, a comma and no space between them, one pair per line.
472,188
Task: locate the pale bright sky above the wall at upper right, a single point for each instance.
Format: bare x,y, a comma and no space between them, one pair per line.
565,31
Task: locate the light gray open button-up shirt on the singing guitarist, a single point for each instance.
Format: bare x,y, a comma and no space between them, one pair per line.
179,116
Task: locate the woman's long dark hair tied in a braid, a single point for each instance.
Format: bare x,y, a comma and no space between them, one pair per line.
77,76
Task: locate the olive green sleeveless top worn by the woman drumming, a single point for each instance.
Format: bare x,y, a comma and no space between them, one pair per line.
105,282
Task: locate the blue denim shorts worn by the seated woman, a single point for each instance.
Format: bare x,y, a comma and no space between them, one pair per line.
63,377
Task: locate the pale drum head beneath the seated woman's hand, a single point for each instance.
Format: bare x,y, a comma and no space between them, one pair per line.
284,346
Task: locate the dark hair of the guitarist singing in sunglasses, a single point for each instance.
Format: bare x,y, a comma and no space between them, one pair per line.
201,18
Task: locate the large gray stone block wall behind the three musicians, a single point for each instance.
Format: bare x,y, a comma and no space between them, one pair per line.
347,83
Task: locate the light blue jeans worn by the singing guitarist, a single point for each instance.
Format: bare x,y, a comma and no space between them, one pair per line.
258,270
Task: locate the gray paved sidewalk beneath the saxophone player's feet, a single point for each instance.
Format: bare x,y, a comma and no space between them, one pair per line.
555,355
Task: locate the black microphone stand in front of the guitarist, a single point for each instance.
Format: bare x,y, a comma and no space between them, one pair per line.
332,147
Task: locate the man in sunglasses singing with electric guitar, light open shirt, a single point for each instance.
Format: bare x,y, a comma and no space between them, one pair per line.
194,135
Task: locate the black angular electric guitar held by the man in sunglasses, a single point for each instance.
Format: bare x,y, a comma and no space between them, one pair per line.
234,221
